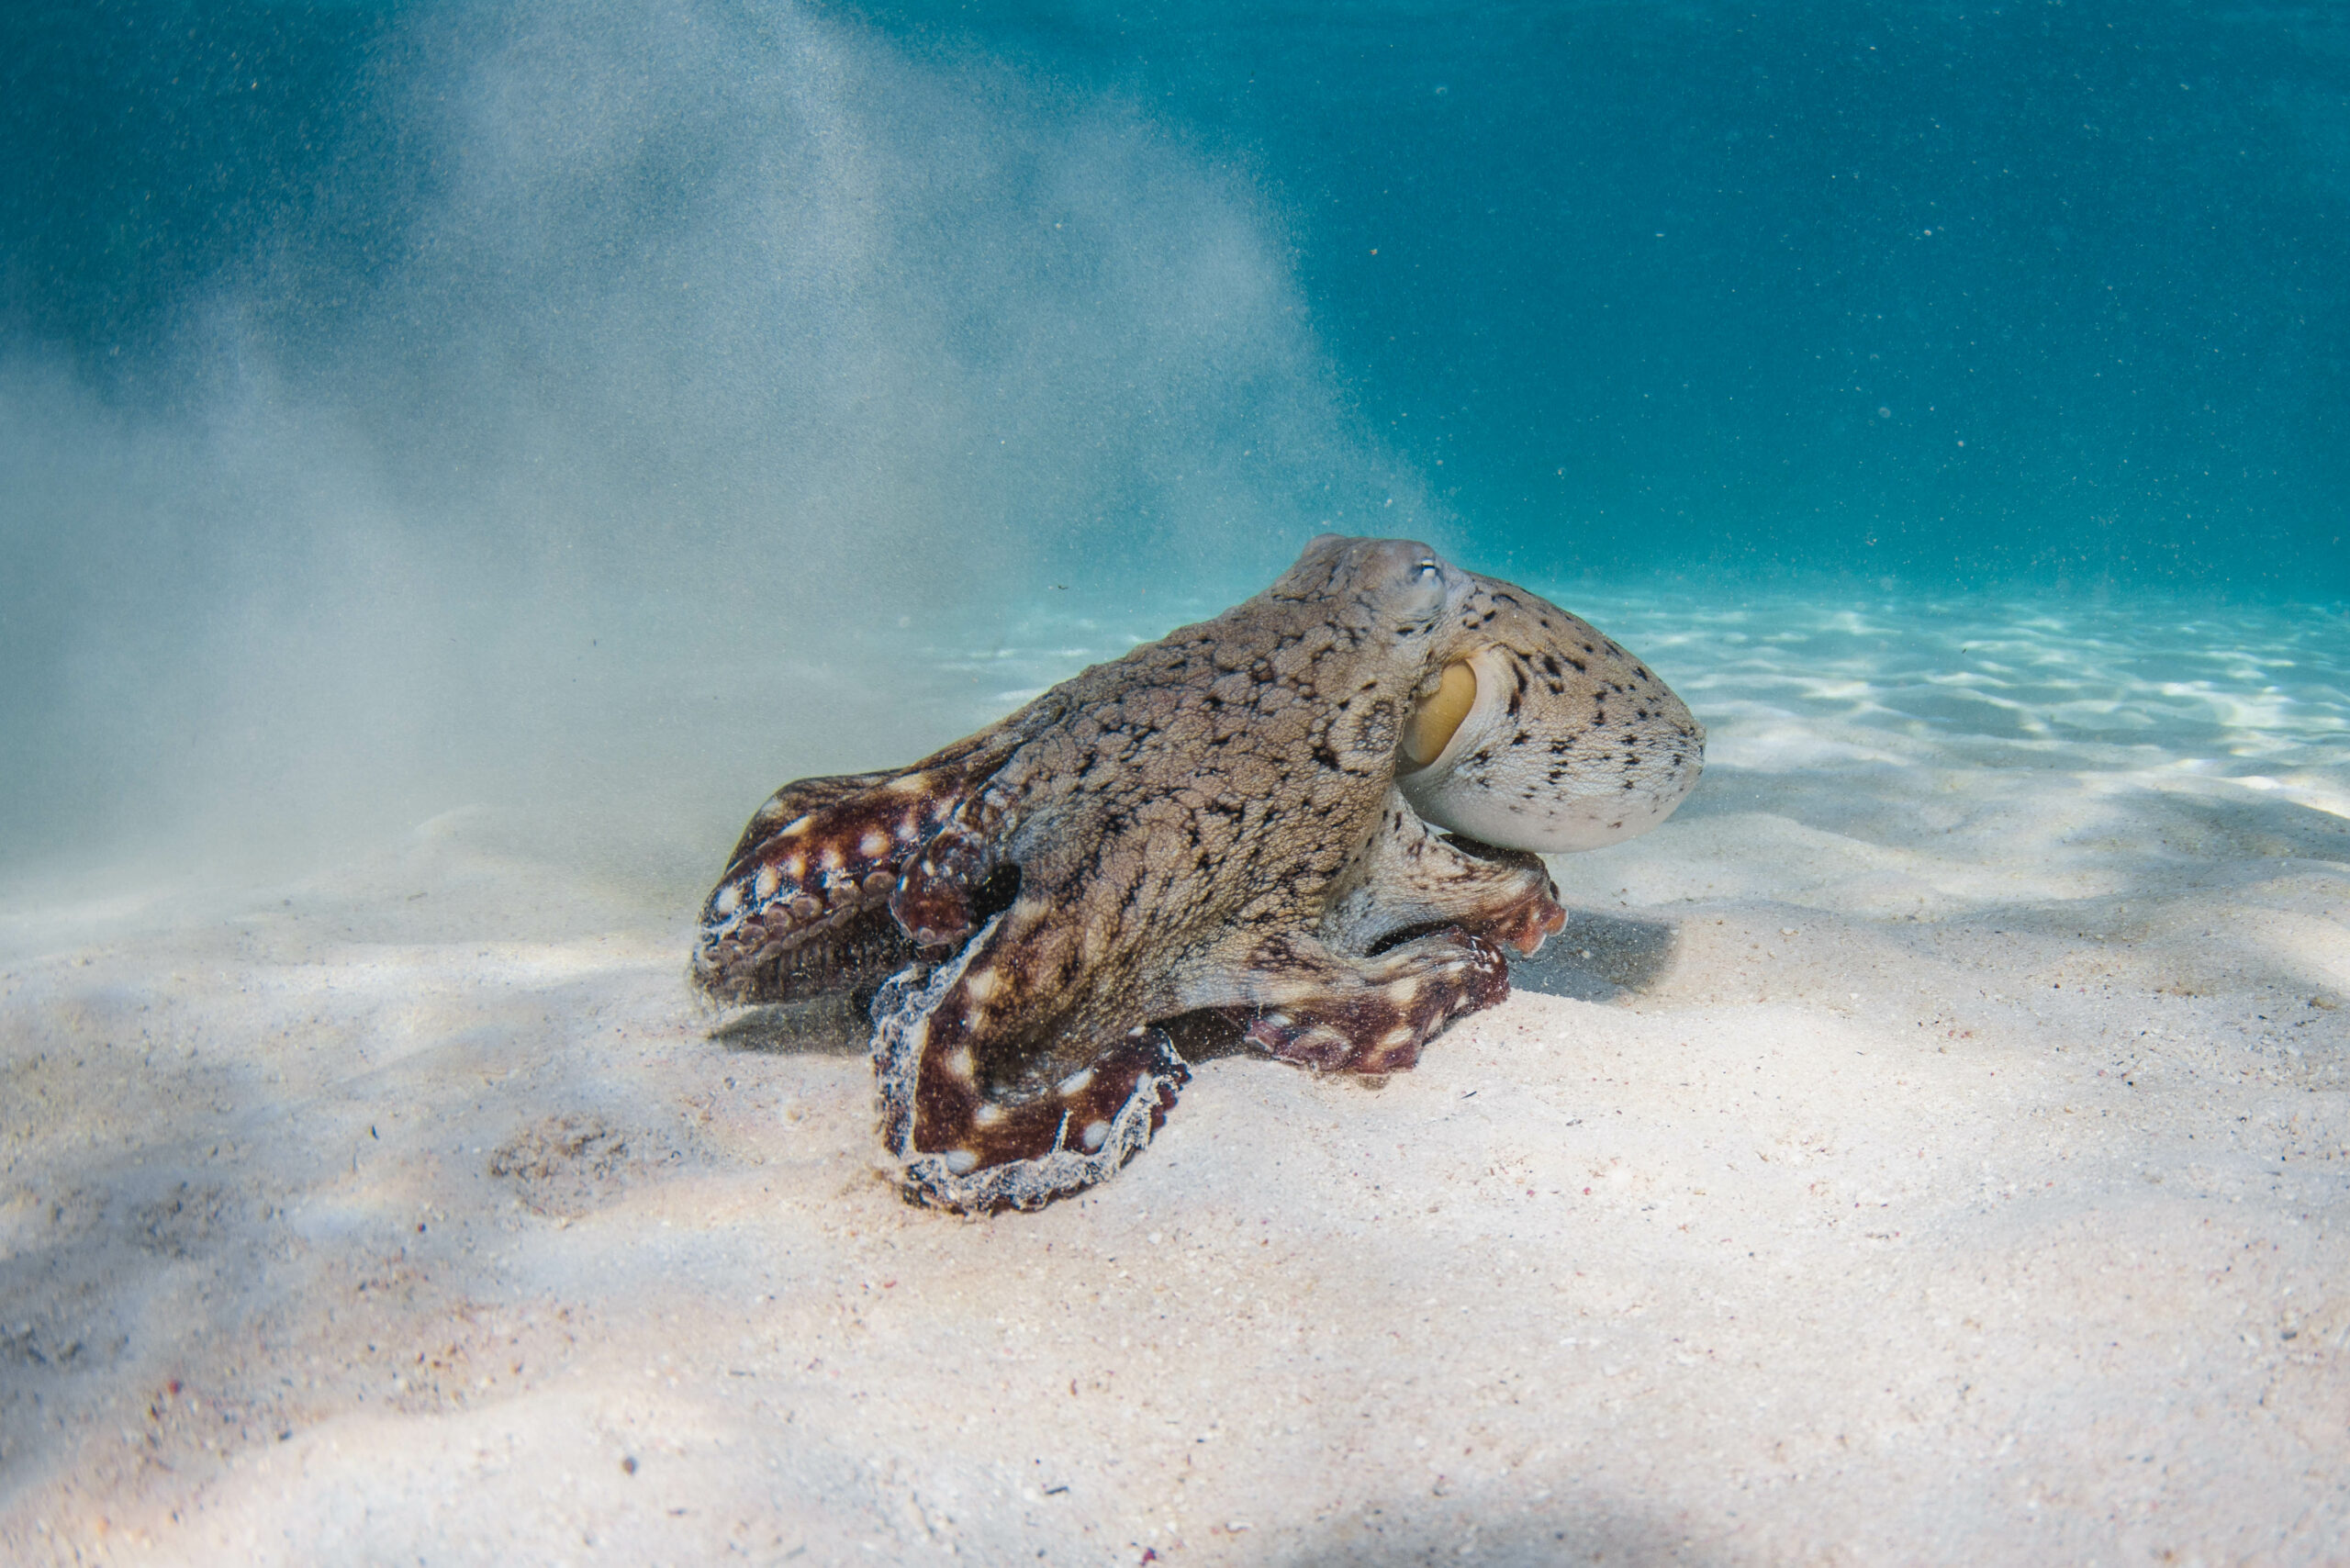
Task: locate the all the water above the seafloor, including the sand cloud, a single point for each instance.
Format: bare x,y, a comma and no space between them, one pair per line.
417,403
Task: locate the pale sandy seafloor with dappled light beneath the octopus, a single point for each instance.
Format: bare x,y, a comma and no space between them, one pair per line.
1935,1146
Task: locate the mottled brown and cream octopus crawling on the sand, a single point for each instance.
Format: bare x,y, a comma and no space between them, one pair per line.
1305,829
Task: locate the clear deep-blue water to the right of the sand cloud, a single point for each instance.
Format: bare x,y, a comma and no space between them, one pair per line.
1961,293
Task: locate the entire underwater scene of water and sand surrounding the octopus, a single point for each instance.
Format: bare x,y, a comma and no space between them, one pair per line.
459,460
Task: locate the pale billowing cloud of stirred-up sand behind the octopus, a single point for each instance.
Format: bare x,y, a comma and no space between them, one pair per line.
711,347
